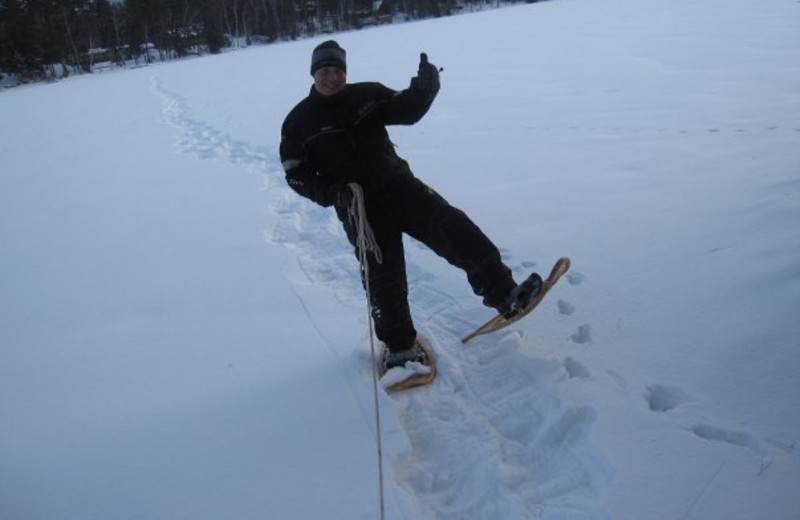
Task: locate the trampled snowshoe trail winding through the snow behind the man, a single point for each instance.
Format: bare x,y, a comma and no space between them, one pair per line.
537,463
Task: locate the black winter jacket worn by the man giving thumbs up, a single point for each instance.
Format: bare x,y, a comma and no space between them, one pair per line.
327,142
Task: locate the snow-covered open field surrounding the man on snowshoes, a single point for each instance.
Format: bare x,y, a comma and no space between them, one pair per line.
184,337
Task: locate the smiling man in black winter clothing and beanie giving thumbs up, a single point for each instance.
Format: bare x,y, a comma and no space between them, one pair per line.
337,136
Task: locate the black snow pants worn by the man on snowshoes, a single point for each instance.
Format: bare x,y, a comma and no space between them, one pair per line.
413,208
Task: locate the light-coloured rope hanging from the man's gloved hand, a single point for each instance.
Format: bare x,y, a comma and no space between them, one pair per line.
366,242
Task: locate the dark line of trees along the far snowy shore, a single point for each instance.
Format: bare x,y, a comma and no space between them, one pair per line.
41,39
